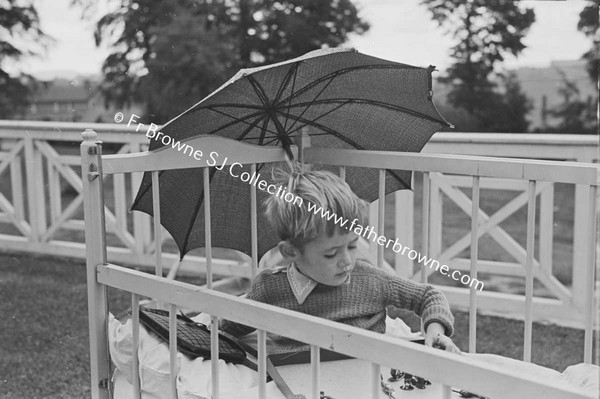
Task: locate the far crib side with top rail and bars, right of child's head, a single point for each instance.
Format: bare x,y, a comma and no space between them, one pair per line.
504,168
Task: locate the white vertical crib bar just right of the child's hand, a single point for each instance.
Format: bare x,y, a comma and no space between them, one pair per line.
474,257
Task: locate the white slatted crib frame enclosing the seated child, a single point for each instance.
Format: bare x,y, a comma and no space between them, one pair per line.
435,365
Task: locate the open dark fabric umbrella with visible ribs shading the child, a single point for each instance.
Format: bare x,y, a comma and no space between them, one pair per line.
344,99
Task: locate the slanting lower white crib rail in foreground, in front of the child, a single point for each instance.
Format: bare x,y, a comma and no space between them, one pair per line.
435,365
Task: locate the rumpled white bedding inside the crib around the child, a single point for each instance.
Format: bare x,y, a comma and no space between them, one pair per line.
343,379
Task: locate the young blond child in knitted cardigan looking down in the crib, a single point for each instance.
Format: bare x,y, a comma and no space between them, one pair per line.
323,276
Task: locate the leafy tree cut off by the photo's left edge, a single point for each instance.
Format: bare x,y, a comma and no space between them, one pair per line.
19,24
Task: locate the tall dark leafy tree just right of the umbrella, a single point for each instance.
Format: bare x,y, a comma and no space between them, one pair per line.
485,31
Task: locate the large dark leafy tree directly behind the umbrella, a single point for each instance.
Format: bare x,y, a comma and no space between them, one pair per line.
169,55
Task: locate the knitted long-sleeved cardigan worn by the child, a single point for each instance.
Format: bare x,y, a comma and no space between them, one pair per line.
361,303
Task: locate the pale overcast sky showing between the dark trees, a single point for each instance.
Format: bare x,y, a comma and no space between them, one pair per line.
401,30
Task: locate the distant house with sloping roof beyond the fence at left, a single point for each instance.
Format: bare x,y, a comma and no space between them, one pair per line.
73,101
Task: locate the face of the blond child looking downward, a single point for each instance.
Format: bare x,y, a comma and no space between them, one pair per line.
328,260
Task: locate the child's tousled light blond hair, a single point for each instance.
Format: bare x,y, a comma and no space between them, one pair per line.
294,222
